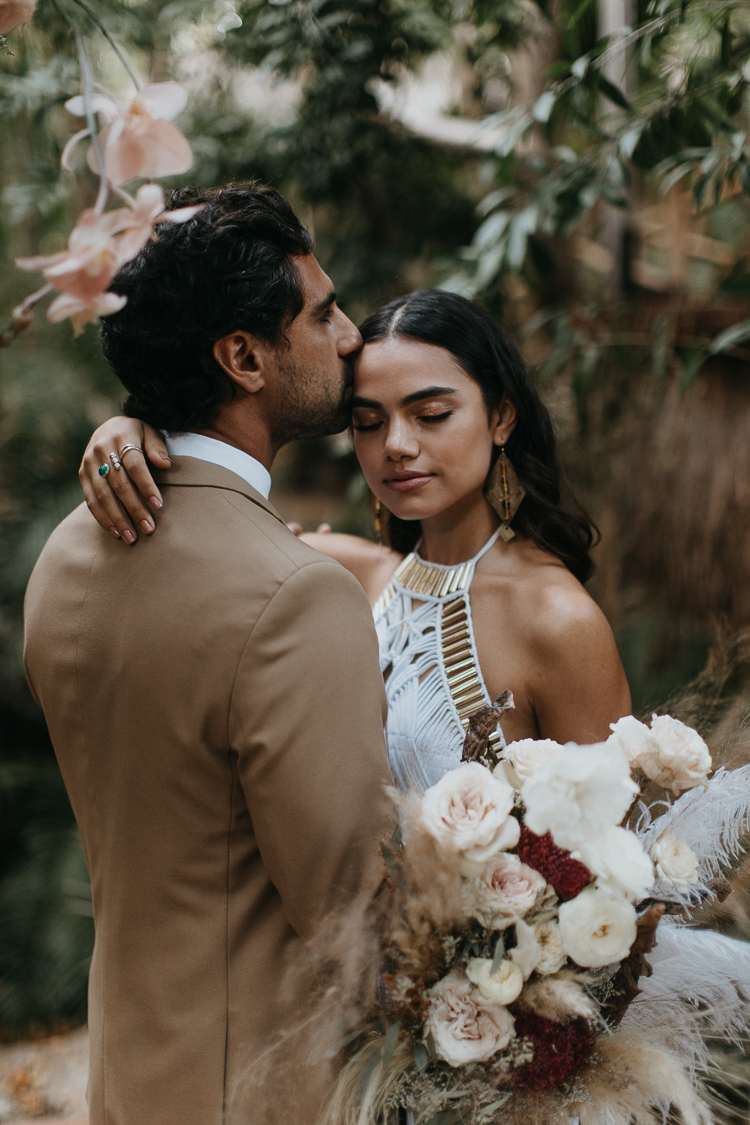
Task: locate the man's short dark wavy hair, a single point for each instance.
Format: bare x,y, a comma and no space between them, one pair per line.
228,268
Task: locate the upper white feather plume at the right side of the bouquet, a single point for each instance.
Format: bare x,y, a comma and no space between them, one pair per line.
712,821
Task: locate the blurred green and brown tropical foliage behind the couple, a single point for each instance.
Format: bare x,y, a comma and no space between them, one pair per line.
582,169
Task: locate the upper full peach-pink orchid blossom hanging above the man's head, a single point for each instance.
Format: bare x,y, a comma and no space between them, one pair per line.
141,140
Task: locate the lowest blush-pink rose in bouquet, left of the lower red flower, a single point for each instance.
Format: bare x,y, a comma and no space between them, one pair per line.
463,1029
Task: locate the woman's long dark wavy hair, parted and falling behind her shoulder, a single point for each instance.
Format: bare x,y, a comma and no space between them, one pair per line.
490,357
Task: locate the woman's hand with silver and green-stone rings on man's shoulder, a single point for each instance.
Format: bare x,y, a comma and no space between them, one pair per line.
121,501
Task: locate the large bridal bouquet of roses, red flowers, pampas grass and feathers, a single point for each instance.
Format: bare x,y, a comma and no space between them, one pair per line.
522,897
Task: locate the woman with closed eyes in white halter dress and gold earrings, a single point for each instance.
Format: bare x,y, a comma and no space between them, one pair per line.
450,434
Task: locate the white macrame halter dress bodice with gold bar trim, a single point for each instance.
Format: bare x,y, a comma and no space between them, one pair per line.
430,665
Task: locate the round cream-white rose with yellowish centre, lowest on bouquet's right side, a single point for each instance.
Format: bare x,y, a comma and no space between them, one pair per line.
598,929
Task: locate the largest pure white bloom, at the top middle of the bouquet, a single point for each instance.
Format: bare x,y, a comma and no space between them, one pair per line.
579,794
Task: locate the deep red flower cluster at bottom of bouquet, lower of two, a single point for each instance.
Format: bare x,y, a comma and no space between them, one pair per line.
559,1049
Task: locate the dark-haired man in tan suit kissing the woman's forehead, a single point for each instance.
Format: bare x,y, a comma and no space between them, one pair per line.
214,698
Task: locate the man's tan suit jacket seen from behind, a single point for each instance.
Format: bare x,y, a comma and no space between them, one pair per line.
215,703
